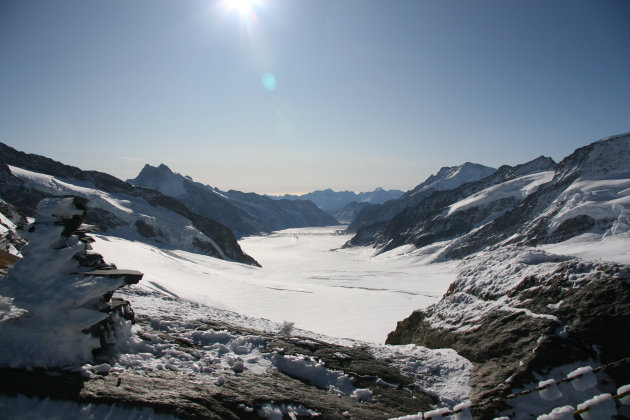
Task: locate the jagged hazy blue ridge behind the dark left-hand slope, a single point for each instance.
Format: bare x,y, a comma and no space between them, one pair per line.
244,213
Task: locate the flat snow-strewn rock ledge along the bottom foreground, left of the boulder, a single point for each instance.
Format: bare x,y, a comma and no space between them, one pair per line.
307,378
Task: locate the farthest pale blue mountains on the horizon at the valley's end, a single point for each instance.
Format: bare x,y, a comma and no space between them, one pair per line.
330,200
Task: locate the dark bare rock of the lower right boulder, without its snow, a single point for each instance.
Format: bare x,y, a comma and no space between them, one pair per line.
552,320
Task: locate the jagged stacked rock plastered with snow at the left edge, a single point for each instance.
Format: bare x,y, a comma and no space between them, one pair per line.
57,307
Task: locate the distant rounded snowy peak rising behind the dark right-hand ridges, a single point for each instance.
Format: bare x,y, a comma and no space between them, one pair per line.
452,177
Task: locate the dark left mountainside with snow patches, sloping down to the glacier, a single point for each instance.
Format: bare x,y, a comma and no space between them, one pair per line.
116,206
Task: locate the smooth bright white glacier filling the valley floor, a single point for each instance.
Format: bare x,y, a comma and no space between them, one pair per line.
306,278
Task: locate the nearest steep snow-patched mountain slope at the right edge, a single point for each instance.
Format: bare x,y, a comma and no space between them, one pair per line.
589,194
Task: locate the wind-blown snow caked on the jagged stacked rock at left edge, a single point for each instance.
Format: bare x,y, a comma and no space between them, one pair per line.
44,306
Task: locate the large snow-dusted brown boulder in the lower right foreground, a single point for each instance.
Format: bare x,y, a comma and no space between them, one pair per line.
522,316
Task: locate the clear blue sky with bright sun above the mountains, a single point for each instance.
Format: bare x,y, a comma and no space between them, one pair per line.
297,95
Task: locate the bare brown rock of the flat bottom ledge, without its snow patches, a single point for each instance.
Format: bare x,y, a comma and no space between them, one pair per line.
181,395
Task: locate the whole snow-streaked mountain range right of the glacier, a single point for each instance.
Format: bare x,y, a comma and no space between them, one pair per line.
534,203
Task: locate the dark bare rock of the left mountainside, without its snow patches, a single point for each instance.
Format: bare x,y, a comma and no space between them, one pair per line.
13,190
